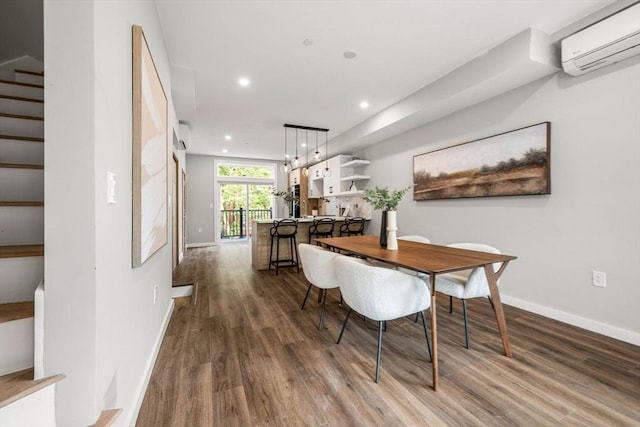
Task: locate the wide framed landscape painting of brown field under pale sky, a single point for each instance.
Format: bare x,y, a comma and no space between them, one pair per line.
508,164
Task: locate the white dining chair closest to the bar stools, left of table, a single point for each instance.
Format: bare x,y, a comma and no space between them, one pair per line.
318,268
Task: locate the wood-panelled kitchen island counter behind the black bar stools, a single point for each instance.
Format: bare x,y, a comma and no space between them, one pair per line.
261,239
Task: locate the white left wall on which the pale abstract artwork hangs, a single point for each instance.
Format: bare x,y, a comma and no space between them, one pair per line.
102,326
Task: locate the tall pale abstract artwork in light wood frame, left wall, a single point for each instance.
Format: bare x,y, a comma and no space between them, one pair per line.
149,221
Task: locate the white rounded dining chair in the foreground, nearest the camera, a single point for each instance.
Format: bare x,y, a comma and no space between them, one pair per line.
380,294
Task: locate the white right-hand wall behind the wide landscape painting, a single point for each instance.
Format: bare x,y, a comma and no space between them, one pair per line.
589,222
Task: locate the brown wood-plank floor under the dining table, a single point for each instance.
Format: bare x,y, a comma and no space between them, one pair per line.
246,355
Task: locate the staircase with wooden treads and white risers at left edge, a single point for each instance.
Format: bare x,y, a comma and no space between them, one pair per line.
23,400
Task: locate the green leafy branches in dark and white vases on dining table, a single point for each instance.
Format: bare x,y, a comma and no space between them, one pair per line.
387,201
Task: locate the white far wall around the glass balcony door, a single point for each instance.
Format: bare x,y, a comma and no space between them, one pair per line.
201,198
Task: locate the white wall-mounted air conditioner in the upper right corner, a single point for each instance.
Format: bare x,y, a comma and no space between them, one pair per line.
606,42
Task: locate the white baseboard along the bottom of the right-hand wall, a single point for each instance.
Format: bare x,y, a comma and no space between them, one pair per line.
625,335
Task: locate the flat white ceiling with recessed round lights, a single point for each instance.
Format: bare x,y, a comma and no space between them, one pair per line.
401,47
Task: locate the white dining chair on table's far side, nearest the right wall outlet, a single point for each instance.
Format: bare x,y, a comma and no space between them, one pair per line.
467,284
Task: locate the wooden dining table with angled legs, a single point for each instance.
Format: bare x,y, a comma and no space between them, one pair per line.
432,260
